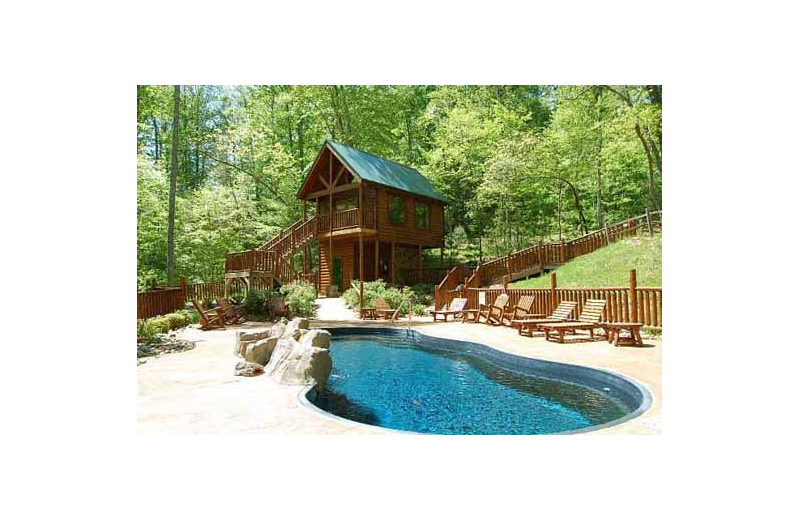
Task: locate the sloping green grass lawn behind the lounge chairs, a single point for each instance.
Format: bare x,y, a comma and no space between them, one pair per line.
609,266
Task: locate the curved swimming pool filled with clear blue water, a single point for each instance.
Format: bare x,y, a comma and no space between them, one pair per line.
408,381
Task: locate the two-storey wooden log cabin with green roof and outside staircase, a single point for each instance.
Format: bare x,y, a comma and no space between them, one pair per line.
372,218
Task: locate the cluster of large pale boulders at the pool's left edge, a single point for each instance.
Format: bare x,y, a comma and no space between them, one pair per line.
288,352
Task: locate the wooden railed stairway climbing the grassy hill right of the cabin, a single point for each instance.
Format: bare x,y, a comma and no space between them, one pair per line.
536,259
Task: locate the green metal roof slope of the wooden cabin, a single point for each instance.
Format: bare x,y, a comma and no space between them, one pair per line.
382,171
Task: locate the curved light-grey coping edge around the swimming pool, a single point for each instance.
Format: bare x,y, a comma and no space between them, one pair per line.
645,404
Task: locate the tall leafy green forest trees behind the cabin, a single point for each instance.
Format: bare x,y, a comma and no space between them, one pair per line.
518,163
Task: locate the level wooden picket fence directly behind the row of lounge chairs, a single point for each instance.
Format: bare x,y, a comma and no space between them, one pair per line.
632,303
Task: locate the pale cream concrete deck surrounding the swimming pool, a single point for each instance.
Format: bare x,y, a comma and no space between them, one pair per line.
196,392
